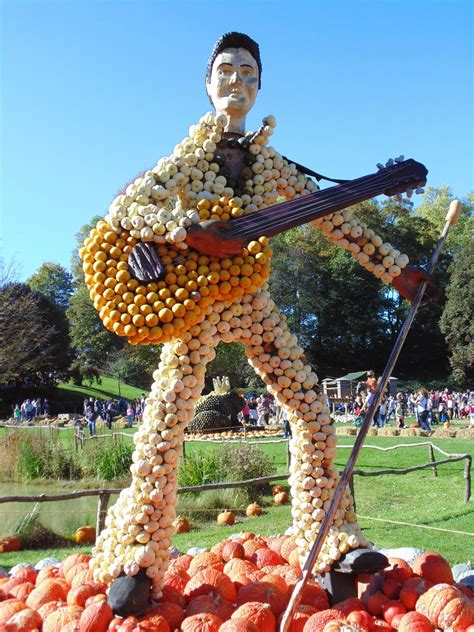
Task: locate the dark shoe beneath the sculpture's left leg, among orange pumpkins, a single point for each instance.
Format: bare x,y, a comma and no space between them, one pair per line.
130,595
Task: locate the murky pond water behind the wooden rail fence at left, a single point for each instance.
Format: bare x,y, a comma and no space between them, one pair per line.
62,517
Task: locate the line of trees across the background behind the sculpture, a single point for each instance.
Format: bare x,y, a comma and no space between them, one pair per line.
345,318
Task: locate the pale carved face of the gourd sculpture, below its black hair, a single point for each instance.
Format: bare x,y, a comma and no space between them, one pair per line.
234,82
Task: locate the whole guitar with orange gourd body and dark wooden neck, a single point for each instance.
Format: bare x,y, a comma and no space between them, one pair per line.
150,292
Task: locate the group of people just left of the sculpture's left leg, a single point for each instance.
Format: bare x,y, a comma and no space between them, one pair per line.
95,408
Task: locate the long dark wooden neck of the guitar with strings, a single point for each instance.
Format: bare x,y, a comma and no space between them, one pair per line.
281,217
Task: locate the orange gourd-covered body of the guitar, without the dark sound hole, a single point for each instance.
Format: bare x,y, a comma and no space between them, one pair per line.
159,311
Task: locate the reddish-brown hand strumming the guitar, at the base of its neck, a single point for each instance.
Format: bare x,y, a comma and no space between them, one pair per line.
214,238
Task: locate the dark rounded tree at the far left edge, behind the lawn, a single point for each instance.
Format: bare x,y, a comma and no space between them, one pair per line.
35,339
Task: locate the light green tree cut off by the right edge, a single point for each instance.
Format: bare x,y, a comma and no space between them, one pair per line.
456,321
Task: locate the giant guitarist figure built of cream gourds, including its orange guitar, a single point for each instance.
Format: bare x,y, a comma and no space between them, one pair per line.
182,258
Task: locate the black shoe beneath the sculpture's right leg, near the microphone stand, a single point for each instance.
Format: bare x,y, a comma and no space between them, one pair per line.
341,583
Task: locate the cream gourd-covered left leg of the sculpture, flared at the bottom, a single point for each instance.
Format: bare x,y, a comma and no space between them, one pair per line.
139,526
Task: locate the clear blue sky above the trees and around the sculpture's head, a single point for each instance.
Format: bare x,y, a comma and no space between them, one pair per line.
93,92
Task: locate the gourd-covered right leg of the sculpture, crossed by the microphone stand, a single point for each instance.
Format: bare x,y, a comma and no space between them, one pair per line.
274,353
